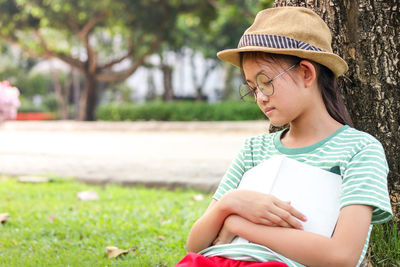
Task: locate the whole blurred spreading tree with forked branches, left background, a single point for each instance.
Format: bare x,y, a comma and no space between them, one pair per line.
95,37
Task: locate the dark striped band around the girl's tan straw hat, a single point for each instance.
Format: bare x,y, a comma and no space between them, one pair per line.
274,41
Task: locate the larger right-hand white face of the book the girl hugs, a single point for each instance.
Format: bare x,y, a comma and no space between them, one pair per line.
312,191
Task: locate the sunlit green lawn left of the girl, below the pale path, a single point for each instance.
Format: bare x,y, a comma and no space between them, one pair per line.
49,226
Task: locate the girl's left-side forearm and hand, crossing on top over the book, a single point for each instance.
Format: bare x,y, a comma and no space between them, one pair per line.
255,207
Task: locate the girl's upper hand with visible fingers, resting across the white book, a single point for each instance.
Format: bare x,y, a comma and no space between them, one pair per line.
263,209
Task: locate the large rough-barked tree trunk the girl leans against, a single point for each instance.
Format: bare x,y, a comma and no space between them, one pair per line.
366,33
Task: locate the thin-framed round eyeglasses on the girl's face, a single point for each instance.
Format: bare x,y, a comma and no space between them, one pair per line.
264,85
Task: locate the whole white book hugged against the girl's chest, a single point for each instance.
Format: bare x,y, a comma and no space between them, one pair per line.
311,190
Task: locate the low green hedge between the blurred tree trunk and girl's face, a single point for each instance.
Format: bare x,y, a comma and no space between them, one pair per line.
180,111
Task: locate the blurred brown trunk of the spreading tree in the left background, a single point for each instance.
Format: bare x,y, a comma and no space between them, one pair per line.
88,99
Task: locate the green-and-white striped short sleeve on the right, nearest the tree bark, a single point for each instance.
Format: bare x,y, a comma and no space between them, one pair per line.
365,182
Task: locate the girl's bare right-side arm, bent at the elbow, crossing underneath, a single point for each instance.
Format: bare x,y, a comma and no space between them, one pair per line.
343,249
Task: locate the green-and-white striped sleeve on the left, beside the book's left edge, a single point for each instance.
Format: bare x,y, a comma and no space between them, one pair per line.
233,175
